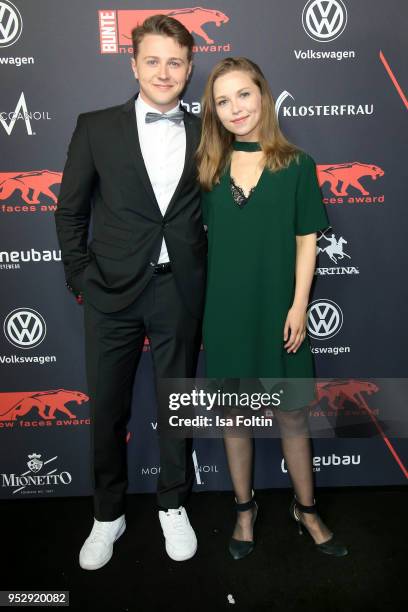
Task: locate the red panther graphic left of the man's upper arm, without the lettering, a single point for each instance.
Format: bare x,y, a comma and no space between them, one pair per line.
31,185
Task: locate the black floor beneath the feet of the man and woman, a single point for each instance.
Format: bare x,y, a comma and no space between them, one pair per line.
41,539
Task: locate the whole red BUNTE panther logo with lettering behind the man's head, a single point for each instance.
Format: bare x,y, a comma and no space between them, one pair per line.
115,26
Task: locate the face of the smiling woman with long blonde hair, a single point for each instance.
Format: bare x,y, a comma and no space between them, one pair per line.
238,103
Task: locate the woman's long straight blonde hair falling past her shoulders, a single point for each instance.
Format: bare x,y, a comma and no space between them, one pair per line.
214,150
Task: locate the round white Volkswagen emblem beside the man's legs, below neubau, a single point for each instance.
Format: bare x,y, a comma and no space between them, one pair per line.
24,328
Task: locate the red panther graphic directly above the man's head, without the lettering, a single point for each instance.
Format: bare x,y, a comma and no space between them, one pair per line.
192,18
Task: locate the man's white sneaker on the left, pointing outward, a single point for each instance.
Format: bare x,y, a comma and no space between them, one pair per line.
98,547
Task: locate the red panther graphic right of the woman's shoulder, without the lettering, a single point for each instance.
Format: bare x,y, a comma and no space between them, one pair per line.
347,175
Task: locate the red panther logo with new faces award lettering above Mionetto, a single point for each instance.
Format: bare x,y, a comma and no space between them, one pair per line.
41,404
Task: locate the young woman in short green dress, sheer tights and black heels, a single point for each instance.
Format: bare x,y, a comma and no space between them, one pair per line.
262,206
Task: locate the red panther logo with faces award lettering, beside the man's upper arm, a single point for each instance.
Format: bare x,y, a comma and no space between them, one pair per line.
29,187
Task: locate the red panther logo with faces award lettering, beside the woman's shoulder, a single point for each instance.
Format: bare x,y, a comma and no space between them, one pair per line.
342,177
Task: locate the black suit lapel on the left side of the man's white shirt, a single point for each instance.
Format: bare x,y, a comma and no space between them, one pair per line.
131,137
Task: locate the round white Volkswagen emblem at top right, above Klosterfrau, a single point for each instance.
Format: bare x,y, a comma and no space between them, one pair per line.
324,20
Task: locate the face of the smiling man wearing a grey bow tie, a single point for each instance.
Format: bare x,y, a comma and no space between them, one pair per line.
162,69
